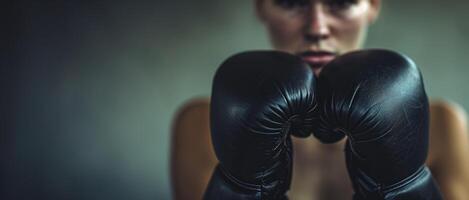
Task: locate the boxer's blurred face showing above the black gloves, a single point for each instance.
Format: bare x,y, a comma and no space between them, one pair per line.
317,30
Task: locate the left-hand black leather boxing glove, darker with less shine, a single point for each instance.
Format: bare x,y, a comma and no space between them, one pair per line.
258,99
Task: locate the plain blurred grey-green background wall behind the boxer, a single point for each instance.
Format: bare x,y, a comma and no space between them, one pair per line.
89,88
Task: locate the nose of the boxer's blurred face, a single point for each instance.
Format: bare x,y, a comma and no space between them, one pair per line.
316,27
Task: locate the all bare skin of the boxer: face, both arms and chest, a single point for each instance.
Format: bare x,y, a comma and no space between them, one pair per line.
311,29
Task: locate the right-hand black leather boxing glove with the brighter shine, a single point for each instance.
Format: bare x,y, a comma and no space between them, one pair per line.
377,99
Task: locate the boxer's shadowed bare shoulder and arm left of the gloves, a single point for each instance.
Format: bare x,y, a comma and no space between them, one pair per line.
192,157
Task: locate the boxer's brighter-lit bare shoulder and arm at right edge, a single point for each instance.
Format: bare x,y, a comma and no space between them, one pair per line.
449,148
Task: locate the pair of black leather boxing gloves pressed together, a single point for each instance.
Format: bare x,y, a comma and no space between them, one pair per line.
375,98
